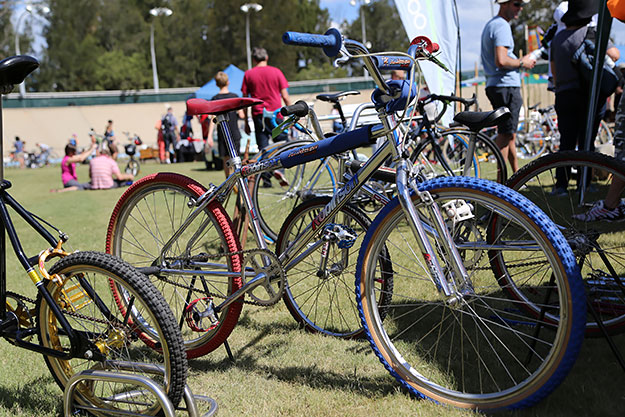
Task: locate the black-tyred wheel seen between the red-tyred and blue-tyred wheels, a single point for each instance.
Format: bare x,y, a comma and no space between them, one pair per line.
319,293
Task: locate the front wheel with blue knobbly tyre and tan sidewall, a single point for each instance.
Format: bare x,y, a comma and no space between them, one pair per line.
477,349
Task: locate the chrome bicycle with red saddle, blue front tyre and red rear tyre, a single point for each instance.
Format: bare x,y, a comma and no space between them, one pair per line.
194,257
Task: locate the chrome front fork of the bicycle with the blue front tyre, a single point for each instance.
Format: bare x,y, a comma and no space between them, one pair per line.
457,282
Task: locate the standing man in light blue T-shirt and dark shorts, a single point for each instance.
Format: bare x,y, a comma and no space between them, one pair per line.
501,68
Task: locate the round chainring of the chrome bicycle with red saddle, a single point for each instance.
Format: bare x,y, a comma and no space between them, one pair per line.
271,291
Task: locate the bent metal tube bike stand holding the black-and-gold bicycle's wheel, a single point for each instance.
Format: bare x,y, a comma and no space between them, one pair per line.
147,384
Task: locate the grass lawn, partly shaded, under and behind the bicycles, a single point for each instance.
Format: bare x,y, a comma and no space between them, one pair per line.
278,369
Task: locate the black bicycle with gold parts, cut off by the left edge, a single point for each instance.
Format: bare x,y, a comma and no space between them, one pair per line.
76,319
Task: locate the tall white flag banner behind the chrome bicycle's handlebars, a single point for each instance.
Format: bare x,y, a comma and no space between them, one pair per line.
437,20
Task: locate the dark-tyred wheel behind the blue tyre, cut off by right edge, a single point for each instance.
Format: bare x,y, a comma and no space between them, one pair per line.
599,246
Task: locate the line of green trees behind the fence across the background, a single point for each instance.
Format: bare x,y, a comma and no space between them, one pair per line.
105,44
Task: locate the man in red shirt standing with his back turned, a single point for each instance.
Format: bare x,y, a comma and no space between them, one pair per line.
266,83
